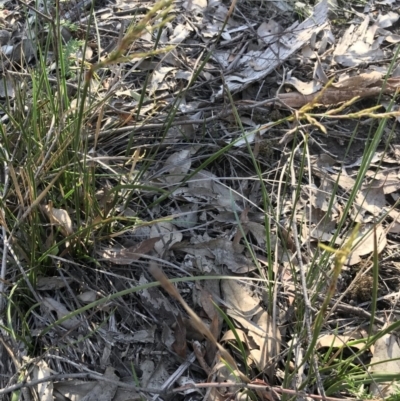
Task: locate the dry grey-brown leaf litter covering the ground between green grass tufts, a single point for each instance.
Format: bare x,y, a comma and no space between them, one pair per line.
271,60
